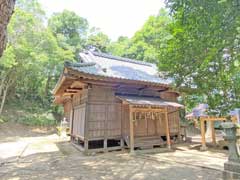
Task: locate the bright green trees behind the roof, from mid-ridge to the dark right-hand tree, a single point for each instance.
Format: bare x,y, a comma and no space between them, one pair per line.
147,43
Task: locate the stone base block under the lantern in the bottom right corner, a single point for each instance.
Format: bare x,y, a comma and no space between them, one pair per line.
231,170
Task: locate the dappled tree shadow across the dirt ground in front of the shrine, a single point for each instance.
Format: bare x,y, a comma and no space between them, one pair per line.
68,163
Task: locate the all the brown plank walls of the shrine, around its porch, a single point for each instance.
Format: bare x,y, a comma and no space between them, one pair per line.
104,116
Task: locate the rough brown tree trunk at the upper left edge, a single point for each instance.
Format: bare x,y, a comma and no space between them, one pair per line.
6,10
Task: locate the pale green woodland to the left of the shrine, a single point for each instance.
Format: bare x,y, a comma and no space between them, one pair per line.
32,61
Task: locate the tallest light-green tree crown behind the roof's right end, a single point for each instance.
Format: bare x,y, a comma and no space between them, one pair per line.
149,43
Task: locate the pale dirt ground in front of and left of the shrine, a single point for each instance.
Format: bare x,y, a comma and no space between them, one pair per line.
45,156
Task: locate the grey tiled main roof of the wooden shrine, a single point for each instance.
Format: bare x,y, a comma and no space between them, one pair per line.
106,65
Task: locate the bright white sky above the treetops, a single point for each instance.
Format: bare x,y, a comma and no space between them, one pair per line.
113,17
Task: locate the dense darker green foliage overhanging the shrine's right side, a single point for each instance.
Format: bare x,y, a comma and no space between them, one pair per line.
204,50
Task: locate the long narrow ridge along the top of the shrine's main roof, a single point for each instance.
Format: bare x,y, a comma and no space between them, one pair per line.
109,56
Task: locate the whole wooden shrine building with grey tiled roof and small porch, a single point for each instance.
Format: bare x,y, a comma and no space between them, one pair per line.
114,102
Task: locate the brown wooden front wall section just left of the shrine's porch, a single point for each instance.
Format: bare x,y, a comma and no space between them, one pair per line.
104,111
